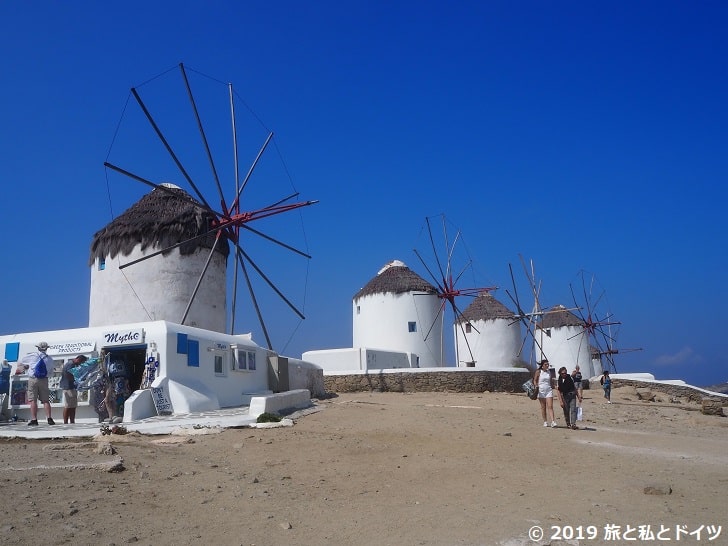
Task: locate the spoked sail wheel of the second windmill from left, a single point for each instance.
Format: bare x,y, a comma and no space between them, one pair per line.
447,262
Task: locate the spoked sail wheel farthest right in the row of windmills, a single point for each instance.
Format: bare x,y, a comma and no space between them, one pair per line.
598,321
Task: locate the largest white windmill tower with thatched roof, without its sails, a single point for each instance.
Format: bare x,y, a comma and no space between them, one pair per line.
159,287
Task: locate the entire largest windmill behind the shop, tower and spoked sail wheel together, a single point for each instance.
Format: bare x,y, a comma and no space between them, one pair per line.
178,244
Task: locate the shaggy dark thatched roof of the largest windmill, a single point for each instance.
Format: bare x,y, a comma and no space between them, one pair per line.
158,220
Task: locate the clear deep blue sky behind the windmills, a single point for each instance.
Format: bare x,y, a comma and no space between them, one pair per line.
580,135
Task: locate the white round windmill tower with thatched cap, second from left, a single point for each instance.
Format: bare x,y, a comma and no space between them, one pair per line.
394,310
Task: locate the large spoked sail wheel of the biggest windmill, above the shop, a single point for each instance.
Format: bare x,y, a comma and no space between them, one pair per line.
161,147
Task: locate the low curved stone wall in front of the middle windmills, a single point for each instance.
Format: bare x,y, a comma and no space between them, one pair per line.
453,380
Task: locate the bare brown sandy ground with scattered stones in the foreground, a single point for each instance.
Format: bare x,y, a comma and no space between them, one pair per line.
385,469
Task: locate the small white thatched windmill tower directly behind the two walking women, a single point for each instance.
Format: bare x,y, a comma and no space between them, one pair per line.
561,337
